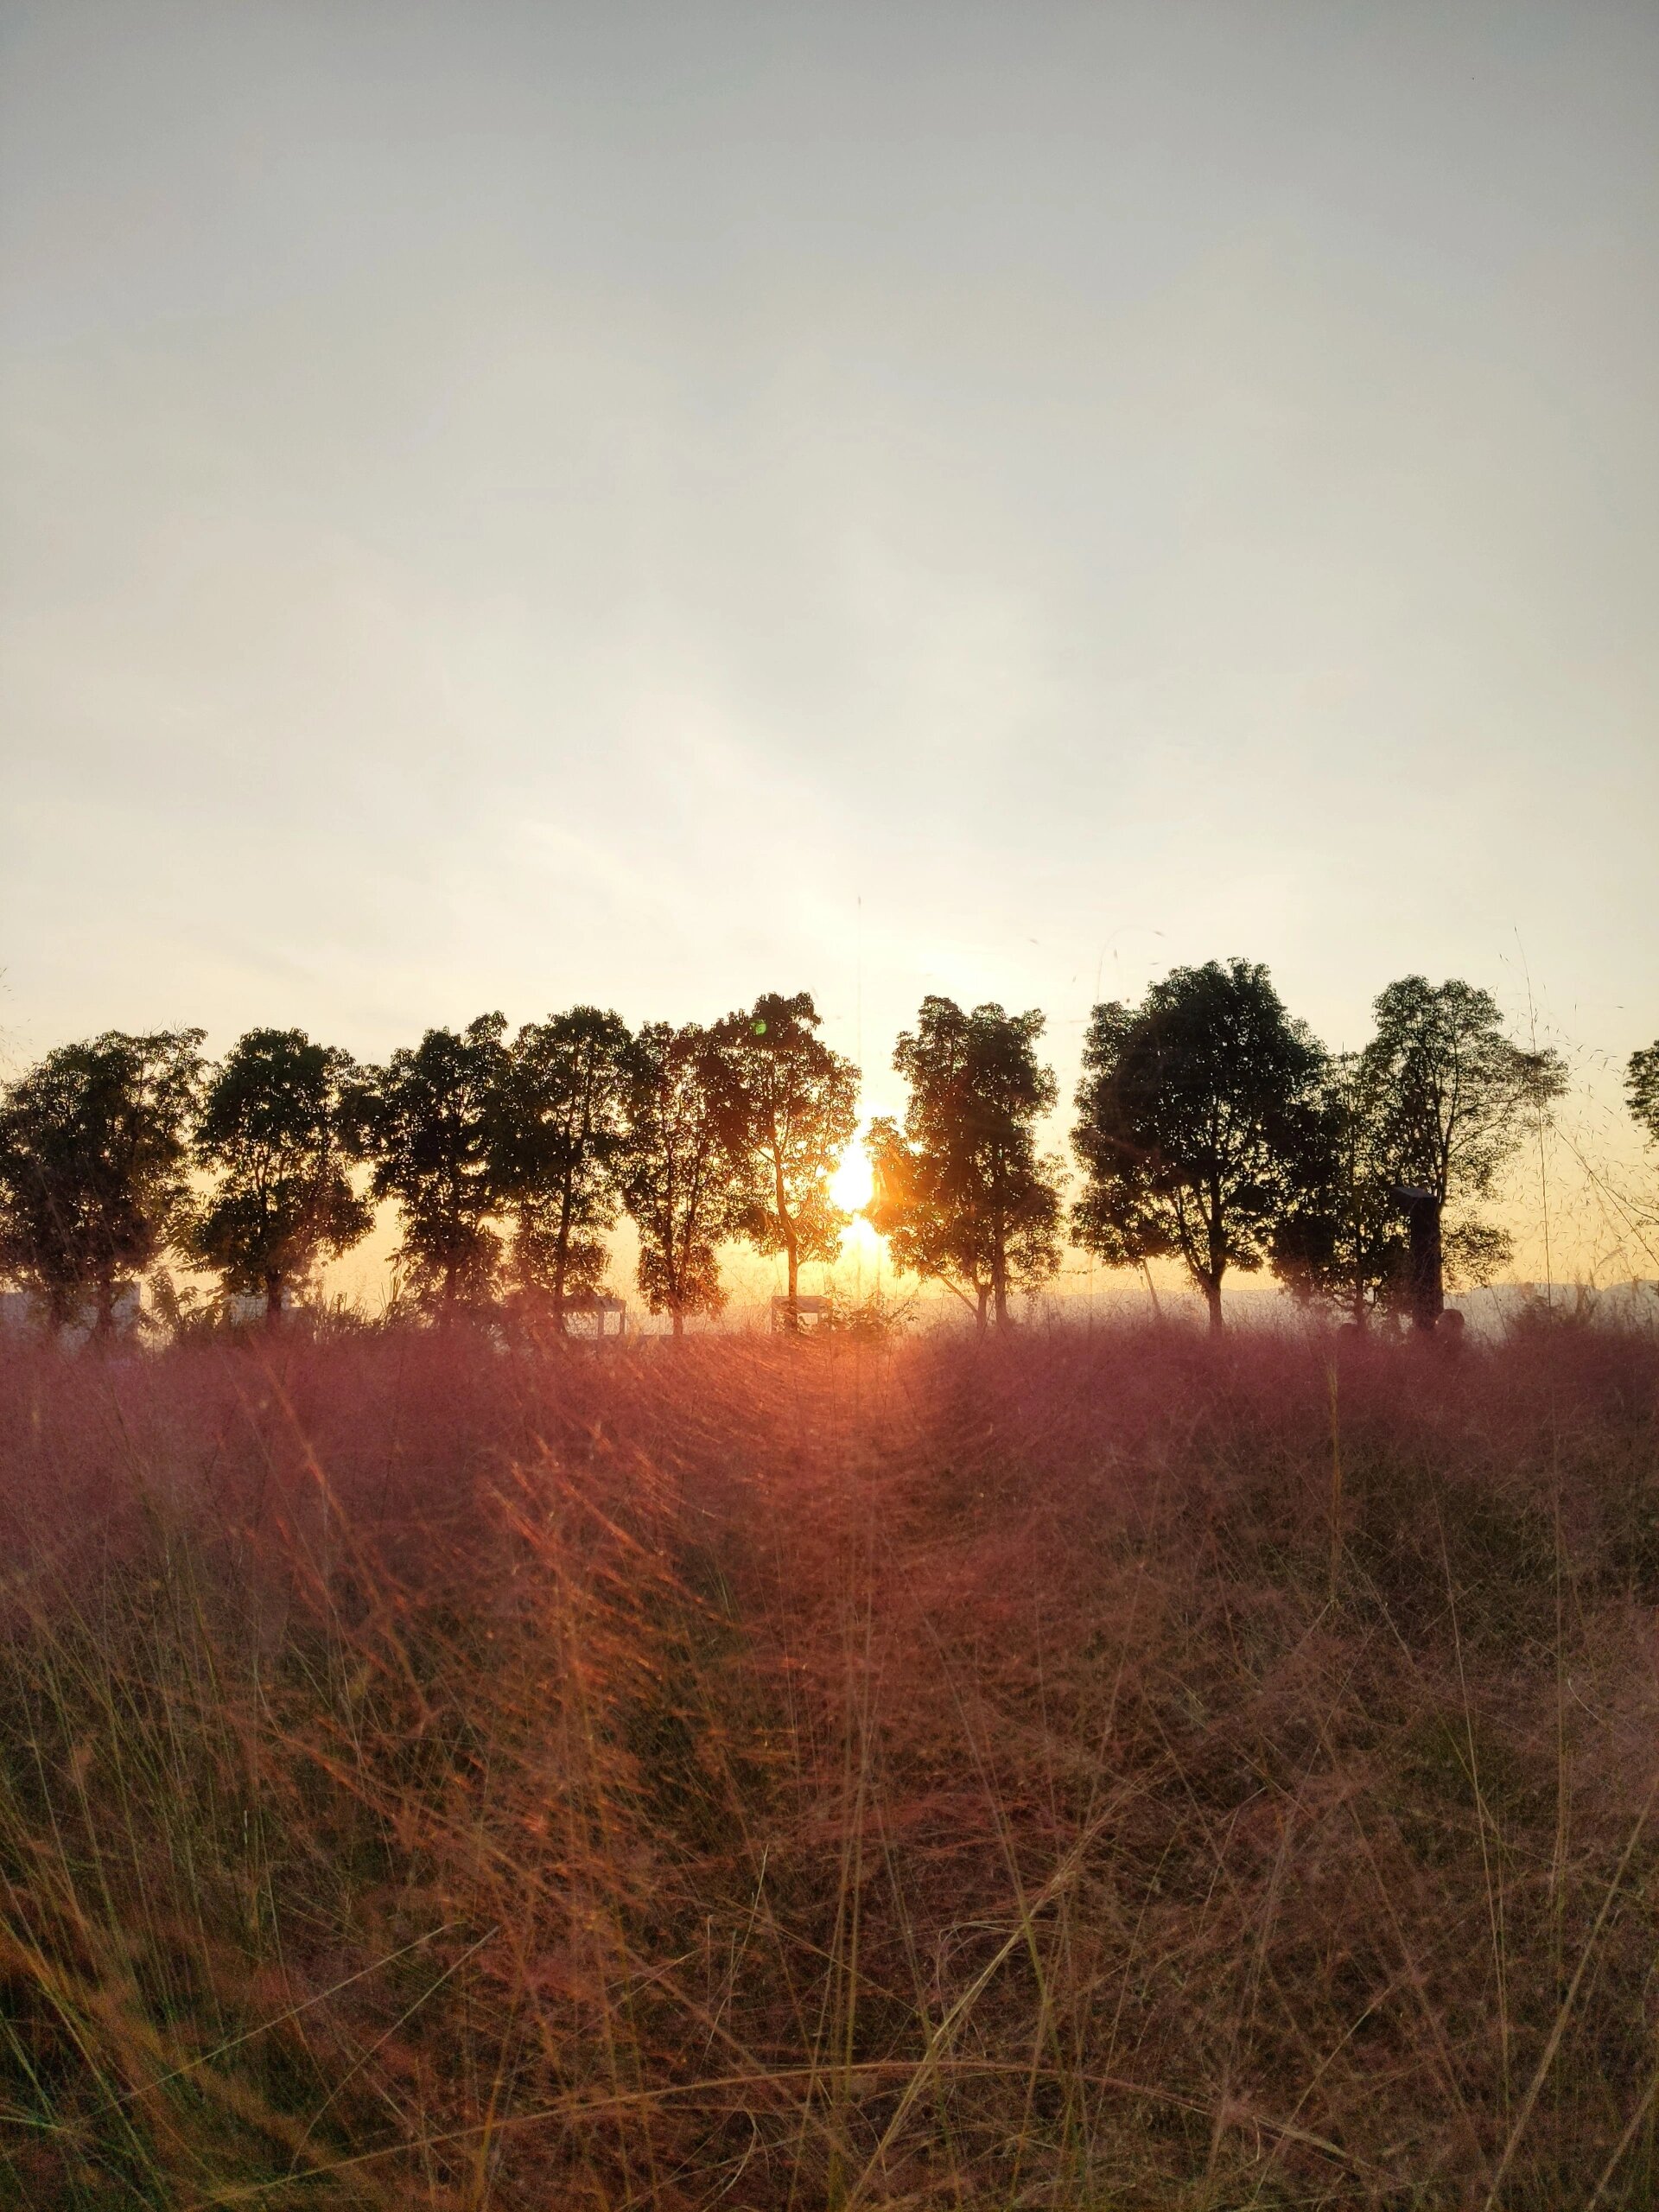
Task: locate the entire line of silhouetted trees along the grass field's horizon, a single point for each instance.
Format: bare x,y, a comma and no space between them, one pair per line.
1211,1129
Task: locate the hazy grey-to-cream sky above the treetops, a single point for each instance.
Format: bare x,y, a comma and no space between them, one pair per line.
514,505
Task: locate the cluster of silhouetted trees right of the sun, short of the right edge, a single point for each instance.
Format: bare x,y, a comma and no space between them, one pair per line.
1218,1131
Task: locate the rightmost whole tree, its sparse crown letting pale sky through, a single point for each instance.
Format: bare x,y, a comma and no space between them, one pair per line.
1454,1103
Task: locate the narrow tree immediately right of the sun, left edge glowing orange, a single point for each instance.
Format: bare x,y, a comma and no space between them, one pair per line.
961,1191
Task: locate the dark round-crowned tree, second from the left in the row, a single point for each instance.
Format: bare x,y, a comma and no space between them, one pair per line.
271,1131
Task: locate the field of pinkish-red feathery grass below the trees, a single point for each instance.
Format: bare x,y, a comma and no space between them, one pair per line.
1098,1771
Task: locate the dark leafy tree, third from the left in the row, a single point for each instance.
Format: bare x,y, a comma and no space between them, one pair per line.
428,1127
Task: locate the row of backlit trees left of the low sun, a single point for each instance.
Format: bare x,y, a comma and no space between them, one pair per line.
508,1160
